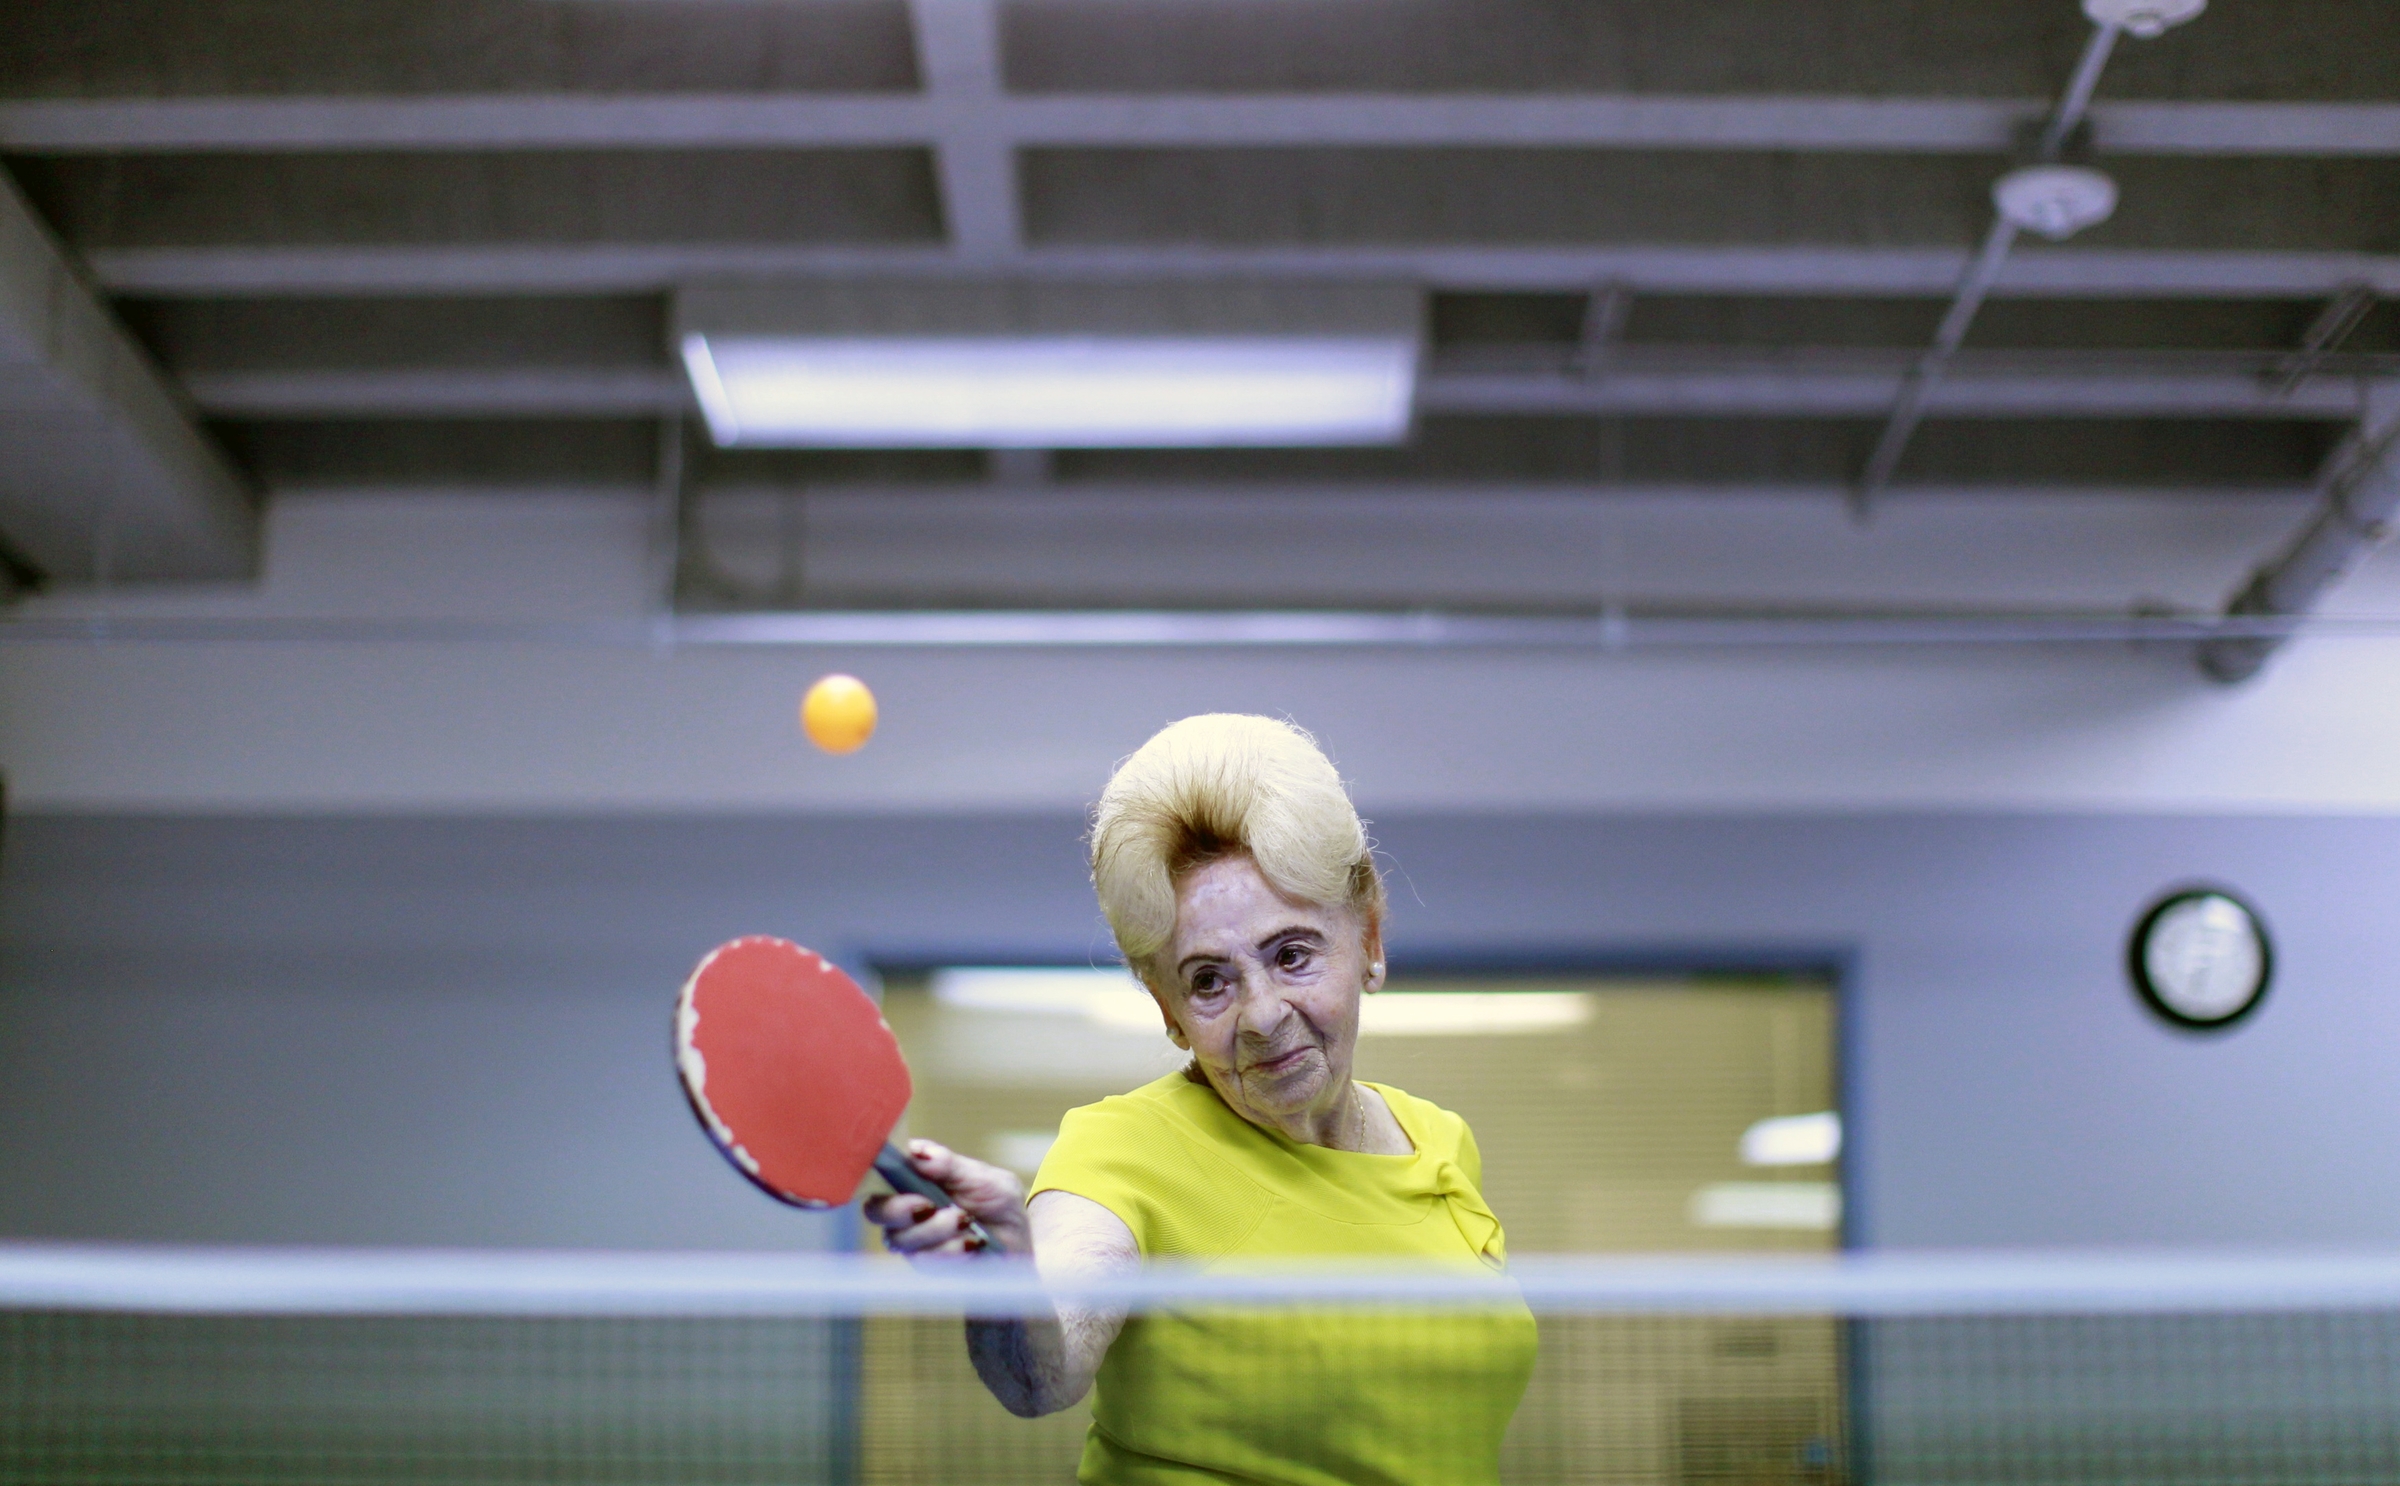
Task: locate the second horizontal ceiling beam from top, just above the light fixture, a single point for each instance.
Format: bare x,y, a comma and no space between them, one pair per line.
654,268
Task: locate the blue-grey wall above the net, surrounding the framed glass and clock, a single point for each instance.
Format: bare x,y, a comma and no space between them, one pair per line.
452,1031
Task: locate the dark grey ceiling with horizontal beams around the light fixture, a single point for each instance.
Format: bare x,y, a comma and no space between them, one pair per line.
416,244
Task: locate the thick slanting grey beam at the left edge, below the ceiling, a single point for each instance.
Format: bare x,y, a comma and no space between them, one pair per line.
102,474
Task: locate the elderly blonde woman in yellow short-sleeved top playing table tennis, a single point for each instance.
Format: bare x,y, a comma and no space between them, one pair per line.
1244,894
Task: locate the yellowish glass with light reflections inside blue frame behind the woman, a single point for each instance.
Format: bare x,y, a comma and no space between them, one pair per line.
1614,1113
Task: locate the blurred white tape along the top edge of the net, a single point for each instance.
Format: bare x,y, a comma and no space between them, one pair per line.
584,1283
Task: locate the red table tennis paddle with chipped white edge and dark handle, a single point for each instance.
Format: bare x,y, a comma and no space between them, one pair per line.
796,1074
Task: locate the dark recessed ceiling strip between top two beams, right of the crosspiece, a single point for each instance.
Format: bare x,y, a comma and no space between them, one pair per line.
1686,198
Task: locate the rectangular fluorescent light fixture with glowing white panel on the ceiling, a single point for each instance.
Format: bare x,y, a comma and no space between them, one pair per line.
947,366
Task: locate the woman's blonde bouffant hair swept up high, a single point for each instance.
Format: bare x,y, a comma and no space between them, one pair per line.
1218,786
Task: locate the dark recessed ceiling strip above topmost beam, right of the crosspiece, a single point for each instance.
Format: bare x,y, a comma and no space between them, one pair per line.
1888,49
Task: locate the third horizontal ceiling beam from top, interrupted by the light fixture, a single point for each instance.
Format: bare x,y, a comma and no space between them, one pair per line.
1724,385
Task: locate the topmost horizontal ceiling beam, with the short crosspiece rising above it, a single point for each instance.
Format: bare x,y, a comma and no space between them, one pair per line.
966,109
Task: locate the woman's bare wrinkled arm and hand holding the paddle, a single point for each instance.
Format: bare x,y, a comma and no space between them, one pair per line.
1033,1365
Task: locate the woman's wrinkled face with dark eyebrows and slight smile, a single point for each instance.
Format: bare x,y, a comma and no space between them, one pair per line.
1264,990
